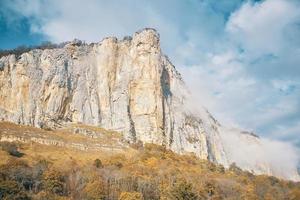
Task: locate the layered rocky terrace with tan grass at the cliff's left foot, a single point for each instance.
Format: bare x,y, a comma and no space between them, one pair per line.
83,138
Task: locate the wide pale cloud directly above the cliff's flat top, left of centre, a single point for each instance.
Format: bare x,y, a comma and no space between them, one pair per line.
89,20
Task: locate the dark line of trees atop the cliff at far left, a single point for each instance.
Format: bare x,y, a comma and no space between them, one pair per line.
23,48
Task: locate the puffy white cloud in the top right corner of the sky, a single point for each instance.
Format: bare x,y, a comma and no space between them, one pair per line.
261,27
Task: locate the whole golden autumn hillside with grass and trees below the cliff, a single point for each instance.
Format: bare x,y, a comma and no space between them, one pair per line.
54,165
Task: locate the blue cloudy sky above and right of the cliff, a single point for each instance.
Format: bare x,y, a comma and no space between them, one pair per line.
240,58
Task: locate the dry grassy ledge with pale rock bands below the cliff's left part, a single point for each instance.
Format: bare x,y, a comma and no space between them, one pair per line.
66,136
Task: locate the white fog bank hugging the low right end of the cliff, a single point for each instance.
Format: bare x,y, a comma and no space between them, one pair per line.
283,157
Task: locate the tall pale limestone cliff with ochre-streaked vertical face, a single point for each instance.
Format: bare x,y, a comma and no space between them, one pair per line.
128,86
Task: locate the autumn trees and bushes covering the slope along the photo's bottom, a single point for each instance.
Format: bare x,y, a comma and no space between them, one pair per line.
154,173
